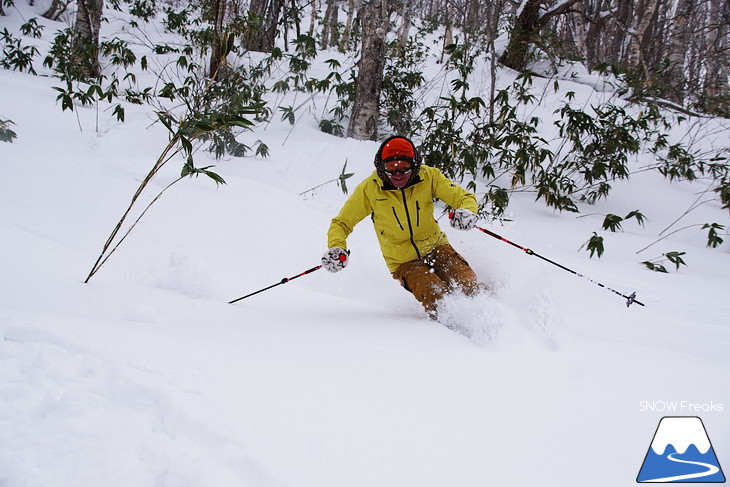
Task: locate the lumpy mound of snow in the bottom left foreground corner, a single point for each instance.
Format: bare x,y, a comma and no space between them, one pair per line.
99,417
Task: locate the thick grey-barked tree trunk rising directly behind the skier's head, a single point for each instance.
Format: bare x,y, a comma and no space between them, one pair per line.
366,107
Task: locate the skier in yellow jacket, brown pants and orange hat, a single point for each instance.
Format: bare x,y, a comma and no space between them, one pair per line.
399,197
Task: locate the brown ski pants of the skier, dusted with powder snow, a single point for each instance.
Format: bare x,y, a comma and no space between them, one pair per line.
435,275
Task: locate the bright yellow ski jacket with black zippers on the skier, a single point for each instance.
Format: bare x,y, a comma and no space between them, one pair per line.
403,218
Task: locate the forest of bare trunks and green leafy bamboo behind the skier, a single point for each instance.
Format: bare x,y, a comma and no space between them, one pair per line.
668,58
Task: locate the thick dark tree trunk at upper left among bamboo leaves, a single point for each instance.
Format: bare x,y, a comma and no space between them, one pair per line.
86,37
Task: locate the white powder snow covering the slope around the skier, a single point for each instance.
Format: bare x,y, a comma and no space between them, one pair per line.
146,376
